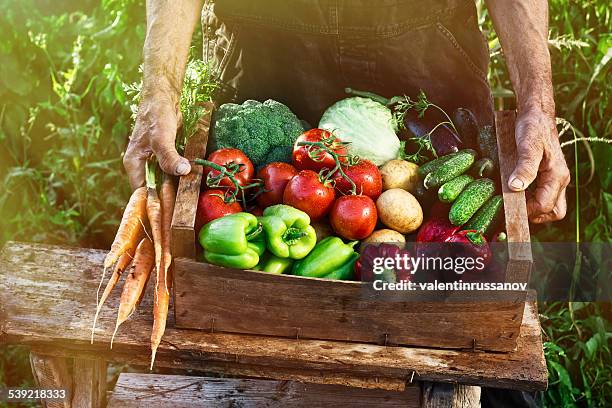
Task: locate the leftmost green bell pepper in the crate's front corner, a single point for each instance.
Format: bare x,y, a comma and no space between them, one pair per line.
234,241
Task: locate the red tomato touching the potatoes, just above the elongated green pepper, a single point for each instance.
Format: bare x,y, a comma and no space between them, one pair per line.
353,217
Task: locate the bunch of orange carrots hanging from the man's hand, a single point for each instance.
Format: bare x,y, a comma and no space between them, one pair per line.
142,250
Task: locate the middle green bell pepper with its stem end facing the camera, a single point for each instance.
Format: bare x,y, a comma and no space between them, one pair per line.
288,231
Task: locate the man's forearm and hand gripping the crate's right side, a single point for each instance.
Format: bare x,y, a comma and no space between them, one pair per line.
522,26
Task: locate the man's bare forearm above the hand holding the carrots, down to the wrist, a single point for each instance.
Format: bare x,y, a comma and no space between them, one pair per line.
170,26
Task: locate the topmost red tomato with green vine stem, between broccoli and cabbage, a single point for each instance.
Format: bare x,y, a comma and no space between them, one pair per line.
301,156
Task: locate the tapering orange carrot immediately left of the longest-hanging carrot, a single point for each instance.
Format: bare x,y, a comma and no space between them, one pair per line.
134,285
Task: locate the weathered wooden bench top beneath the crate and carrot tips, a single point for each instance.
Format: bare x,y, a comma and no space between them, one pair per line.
47,299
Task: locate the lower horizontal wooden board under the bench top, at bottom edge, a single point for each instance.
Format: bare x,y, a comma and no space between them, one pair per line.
173,391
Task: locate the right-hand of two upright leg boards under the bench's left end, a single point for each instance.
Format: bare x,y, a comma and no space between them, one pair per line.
89,379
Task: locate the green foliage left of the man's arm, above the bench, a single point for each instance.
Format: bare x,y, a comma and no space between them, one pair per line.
64,118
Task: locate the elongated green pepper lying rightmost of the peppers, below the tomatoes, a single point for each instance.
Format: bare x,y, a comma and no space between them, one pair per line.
328,255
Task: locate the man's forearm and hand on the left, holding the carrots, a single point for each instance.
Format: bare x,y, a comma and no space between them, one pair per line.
170,25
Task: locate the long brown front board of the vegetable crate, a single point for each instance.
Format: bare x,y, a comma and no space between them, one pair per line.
345,313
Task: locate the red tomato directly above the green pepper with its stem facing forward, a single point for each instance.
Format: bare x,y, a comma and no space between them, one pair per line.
307,193
